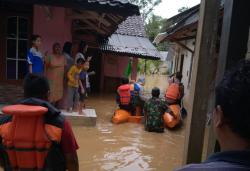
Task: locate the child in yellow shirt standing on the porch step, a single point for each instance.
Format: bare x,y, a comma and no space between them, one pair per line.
74,84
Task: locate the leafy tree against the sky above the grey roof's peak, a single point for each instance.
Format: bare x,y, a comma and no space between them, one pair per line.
146,6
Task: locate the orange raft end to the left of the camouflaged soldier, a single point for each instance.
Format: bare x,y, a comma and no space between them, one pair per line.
122,116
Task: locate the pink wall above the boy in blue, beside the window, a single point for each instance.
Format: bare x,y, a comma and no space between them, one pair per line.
56,28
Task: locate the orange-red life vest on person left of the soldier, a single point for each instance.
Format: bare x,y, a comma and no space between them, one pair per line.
125,95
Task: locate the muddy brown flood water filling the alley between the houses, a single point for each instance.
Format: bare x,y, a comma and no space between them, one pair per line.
126,147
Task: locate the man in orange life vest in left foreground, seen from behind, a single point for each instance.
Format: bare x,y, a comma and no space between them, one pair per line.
34,135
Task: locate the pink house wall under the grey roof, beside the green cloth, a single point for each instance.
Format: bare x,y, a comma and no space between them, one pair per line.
113,68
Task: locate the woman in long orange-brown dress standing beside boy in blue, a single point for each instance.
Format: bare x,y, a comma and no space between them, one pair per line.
55,66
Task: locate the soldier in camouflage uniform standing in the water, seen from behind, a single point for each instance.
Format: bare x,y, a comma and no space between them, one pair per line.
154,110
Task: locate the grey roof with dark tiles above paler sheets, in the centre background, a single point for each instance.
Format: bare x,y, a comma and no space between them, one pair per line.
130,39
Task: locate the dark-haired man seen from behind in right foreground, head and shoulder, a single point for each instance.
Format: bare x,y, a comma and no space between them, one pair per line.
231,118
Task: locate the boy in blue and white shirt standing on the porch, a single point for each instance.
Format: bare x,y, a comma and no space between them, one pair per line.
34,57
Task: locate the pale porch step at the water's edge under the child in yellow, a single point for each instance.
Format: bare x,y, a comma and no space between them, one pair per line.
87,119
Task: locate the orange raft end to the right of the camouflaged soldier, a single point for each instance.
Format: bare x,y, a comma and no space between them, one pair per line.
173,119
